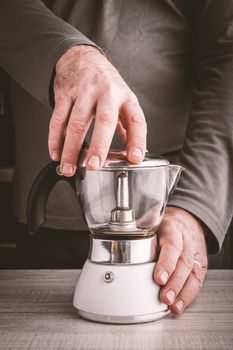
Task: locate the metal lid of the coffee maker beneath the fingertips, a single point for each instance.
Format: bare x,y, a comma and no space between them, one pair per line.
117,161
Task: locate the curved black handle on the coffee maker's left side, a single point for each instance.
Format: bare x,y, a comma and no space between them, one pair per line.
38,196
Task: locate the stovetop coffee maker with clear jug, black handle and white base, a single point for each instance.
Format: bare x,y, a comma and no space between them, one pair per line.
123,205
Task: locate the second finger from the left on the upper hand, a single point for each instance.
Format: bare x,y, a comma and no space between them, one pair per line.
79,122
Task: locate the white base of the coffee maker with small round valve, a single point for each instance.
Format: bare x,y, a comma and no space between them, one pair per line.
121,293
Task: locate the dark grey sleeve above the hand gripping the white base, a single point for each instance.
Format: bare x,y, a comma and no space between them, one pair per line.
206,186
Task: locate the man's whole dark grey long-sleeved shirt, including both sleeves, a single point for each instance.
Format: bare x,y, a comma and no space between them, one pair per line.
176,55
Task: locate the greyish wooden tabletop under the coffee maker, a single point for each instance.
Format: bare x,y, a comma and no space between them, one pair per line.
36,313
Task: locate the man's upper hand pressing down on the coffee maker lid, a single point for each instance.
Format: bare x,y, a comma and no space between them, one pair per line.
87,86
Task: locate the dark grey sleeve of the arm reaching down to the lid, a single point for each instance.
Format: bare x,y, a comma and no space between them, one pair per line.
32,39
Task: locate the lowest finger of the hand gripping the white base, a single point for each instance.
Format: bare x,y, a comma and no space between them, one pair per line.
190,290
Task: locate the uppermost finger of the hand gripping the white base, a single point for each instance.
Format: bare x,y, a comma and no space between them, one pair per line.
171,246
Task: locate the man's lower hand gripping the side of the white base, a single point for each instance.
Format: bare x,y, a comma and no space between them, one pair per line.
182,243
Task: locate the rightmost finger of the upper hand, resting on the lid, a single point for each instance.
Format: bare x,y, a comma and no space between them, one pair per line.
135,124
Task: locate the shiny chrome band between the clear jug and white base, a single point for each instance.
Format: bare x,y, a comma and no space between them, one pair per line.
135,251
